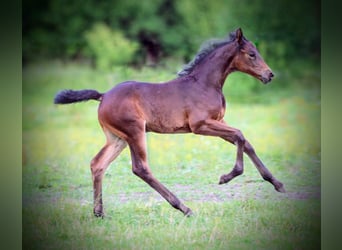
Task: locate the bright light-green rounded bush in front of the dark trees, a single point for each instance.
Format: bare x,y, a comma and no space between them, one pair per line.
109,47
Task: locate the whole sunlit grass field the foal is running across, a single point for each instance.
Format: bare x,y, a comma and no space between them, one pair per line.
247,213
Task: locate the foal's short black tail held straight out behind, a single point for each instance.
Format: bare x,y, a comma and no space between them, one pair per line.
71,96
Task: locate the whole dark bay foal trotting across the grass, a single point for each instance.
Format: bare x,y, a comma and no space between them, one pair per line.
191,103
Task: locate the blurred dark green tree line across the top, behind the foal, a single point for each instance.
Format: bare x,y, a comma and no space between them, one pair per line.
284,29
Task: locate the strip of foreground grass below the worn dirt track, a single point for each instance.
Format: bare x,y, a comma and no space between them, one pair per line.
246,224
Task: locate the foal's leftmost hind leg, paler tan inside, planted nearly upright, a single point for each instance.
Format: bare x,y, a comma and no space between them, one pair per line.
99,164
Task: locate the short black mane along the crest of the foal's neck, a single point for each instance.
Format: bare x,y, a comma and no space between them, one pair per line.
205,49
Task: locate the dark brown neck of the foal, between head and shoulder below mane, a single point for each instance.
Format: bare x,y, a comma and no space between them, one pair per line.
215,68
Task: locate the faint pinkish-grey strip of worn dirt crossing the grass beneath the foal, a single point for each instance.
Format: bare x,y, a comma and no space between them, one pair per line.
245,190
